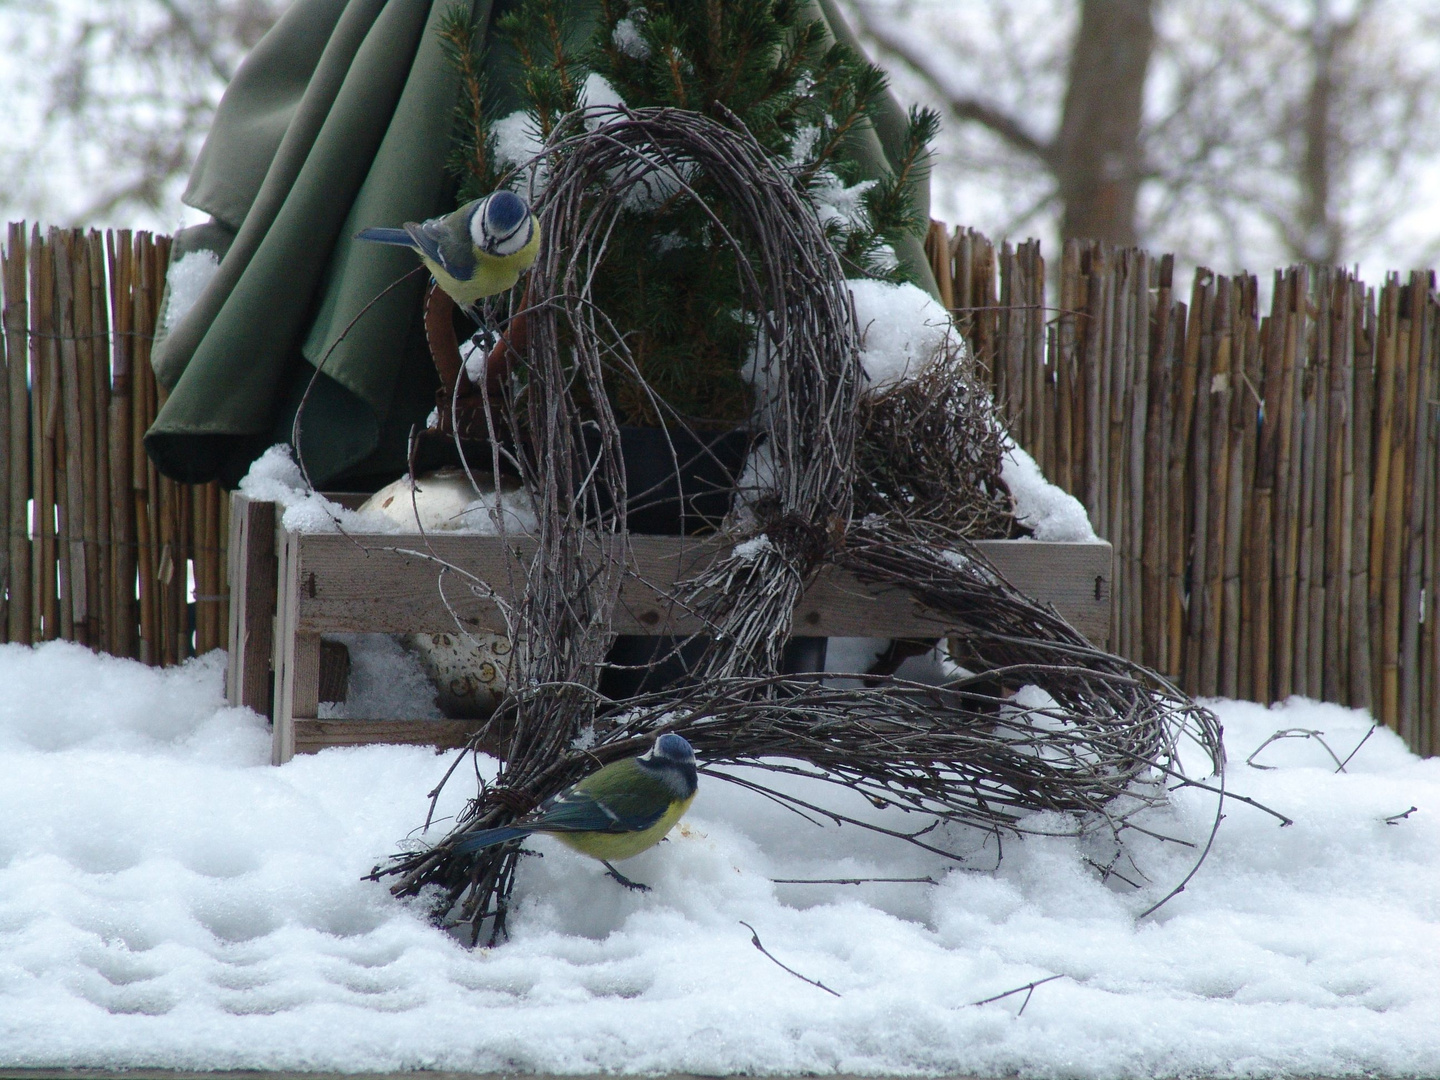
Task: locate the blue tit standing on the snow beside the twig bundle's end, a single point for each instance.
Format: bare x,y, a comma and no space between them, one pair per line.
617,813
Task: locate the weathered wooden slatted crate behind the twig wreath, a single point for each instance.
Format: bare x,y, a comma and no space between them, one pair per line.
287,590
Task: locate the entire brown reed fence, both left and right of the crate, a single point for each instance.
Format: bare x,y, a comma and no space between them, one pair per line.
1269,482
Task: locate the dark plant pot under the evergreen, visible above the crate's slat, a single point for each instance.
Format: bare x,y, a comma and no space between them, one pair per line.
676,483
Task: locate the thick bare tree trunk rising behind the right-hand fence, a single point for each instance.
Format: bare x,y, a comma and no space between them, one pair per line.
1097,155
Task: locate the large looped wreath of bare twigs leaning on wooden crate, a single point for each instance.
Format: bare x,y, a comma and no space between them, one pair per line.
1104,744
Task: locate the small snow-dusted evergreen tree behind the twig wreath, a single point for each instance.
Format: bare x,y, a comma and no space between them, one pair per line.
762,64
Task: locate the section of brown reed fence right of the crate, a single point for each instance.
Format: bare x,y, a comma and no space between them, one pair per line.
1269,482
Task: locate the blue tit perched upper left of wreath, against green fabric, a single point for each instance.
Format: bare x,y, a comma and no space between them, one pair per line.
474,253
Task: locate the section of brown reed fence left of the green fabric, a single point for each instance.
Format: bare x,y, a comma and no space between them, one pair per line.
100,548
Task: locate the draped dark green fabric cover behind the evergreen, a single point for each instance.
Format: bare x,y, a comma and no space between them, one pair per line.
339,119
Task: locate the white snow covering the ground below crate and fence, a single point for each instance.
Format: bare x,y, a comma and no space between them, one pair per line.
171,899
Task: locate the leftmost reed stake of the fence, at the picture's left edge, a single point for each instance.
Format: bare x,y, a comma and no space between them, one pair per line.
17,330
